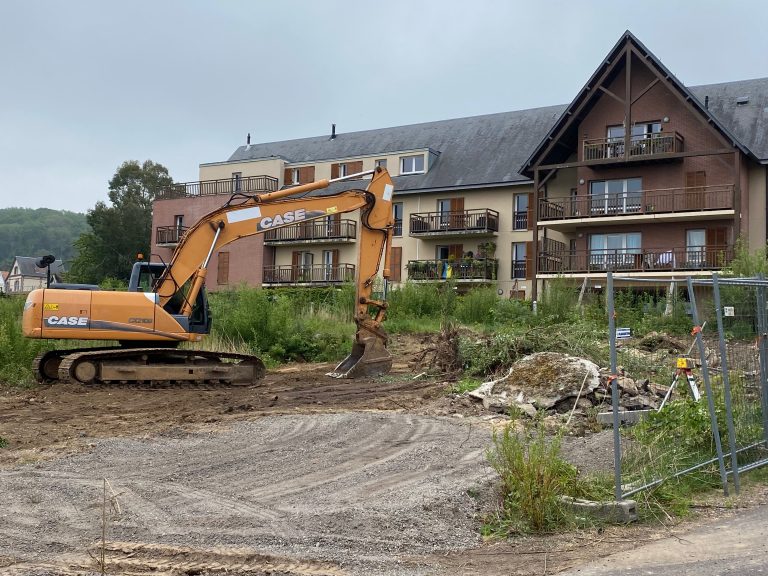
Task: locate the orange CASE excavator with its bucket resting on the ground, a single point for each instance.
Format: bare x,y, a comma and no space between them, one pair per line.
166,304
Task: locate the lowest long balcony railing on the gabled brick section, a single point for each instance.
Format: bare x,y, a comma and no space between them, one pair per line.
637,260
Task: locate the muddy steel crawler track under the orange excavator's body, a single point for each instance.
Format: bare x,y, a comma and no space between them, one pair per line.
149,367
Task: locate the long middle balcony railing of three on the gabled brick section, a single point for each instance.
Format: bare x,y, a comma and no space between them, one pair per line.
660,201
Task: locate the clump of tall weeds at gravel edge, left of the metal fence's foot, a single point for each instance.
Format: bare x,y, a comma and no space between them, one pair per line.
534,479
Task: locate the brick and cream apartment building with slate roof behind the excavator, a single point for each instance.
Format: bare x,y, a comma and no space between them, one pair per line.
670,194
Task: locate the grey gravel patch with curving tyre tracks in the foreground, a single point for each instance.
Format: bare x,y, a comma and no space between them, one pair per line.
339,487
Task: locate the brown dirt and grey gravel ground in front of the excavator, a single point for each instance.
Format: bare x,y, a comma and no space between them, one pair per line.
302,474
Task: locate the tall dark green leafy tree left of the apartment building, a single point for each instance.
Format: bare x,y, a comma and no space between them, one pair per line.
122,229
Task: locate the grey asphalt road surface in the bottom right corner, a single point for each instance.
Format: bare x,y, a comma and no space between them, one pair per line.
738,545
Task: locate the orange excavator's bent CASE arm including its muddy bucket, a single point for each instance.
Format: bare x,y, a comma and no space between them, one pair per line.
256,214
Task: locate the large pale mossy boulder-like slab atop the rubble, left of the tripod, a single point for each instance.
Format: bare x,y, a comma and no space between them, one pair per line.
546,378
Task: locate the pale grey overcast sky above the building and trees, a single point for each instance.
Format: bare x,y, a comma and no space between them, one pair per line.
87,85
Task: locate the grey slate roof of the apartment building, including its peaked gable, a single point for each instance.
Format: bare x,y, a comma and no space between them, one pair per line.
498,149
